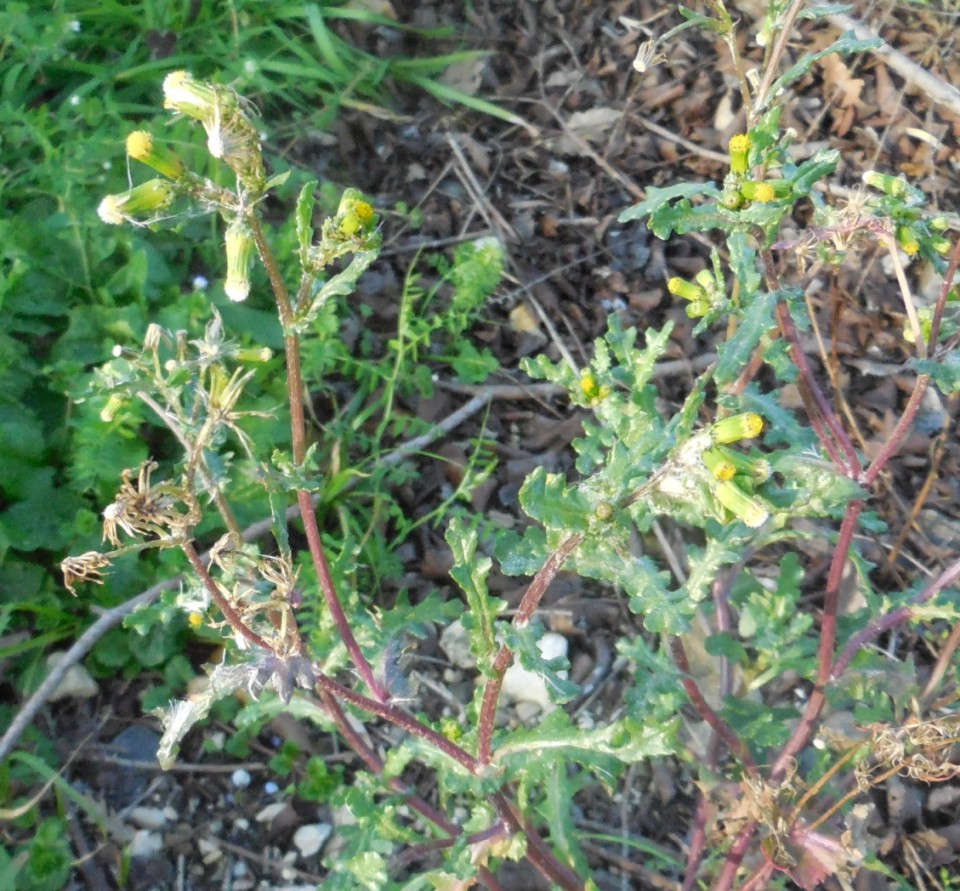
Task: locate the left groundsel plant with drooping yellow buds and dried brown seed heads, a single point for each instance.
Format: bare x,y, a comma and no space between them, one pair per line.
253,597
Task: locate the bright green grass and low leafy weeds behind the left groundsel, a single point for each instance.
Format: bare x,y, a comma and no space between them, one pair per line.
75,78
